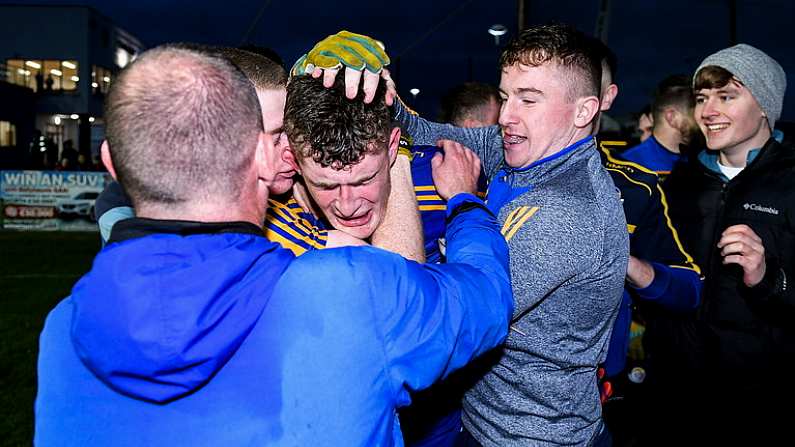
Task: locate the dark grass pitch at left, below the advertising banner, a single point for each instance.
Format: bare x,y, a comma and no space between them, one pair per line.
37,269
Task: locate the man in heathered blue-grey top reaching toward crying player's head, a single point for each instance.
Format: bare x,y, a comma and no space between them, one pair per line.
562,217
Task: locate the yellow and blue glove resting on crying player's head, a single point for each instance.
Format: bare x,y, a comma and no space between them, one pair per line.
352,50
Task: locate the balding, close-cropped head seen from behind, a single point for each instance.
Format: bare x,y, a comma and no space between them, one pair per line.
181,123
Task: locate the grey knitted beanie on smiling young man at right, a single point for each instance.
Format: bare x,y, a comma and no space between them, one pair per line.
760,73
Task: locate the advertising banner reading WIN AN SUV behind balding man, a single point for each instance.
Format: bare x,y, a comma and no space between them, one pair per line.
50,200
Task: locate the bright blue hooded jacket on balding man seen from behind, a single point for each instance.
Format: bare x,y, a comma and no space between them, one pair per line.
208,334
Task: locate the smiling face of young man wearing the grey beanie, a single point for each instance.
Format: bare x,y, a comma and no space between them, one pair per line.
731,119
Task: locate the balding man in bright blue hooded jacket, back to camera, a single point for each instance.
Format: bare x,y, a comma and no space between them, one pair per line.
193,329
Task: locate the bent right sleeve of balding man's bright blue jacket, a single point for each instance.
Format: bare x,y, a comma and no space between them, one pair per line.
445,315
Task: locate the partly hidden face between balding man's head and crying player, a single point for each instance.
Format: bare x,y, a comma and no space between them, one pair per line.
272,105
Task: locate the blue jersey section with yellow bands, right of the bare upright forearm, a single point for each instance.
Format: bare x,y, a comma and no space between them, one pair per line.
432,207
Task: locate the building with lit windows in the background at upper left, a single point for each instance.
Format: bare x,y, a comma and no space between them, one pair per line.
66,57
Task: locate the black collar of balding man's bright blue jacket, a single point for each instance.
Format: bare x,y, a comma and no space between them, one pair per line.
139,227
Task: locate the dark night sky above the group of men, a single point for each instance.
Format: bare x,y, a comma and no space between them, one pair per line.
435,44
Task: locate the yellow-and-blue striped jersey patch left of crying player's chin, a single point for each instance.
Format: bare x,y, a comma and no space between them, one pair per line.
290,226
